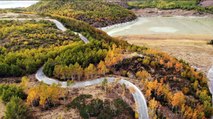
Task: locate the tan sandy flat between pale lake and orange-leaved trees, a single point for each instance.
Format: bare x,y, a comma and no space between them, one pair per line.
193,50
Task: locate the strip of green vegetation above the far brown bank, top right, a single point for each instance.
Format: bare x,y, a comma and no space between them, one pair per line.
171,4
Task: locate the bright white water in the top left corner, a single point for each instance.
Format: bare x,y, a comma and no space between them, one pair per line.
16,4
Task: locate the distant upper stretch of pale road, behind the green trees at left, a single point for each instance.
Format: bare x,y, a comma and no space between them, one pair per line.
58,24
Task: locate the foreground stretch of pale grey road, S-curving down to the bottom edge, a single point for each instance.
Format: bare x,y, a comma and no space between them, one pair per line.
137,95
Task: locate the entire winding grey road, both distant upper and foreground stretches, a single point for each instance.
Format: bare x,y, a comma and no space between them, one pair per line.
137,95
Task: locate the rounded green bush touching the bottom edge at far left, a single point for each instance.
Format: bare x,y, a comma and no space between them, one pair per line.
16,109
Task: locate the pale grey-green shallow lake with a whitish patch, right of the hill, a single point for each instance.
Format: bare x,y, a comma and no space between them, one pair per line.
164,25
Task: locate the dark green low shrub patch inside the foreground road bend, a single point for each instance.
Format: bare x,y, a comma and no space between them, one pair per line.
98,108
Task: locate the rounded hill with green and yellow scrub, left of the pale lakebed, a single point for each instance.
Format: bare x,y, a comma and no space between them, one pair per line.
97,13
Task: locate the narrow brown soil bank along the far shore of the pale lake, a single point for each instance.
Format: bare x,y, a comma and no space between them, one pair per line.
150,12
